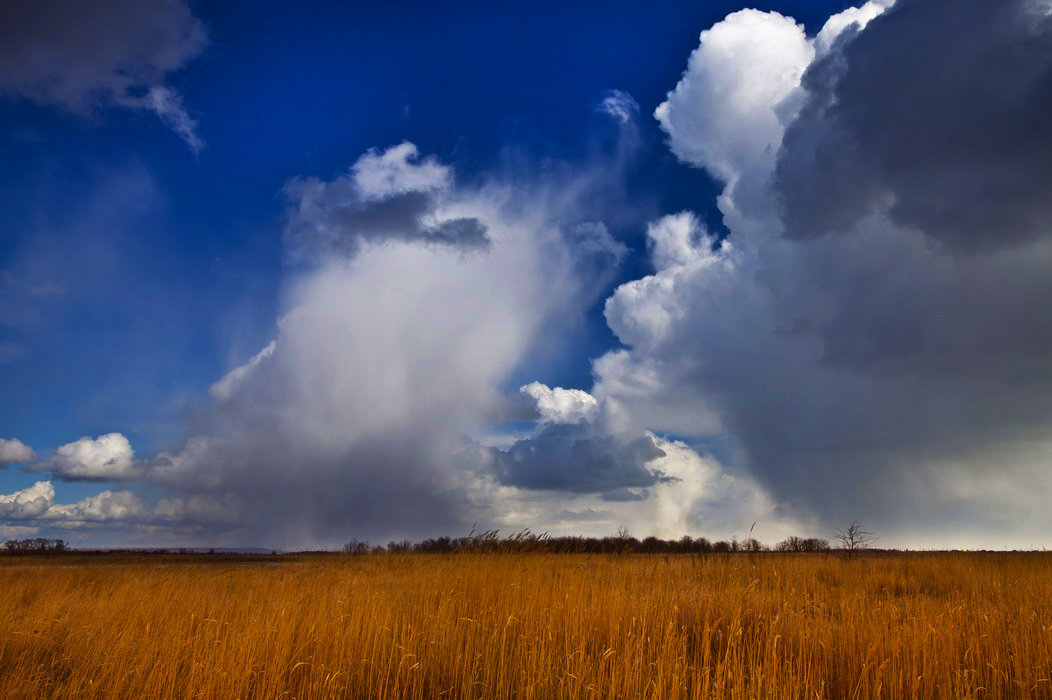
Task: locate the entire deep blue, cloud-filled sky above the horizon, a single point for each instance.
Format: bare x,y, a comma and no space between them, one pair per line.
288,275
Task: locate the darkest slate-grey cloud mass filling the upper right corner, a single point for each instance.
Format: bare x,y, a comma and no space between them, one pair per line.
938,113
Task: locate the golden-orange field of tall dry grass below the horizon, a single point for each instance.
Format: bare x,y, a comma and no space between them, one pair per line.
924,626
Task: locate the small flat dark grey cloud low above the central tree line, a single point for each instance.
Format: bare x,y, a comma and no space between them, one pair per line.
572,458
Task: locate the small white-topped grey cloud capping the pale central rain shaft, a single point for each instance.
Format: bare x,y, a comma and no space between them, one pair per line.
387,196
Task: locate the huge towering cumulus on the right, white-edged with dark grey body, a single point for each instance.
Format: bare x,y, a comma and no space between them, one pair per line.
874,335
